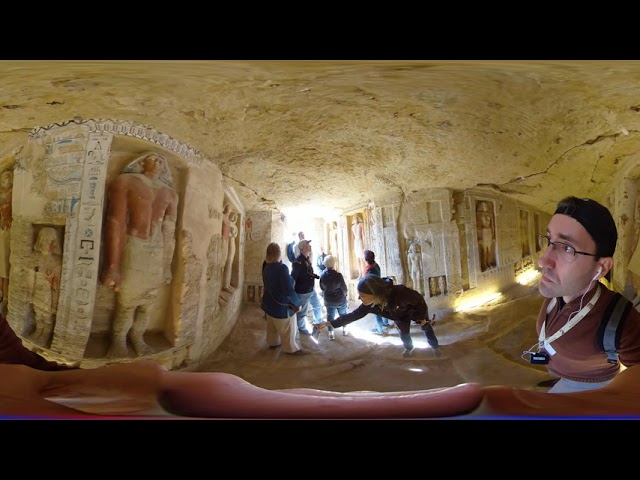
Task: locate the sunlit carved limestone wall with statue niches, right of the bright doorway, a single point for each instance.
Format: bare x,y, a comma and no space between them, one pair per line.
446,244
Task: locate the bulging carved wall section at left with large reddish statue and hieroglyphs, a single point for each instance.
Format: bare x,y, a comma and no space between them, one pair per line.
110,241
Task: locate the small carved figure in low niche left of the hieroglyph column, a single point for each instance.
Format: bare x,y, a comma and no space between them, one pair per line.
44,284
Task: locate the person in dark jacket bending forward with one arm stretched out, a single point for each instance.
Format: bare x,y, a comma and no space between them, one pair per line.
395,302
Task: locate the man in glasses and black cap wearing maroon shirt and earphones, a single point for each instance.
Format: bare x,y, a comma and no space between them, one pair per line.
577,251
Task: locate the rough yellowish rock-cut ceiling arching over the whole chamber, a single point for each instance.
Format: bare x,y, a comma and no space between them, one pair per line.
333,134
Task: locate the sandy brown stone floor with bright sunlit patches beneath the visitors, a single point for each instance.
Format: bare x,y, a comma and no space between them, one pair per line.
482,345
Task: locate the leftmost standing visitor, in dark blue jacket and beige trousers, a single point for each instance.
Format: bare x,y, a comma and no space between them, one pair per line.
279,302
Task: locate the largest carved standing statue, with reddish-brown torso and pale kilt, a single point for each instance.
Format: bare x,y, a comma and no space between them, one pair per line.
140,234
